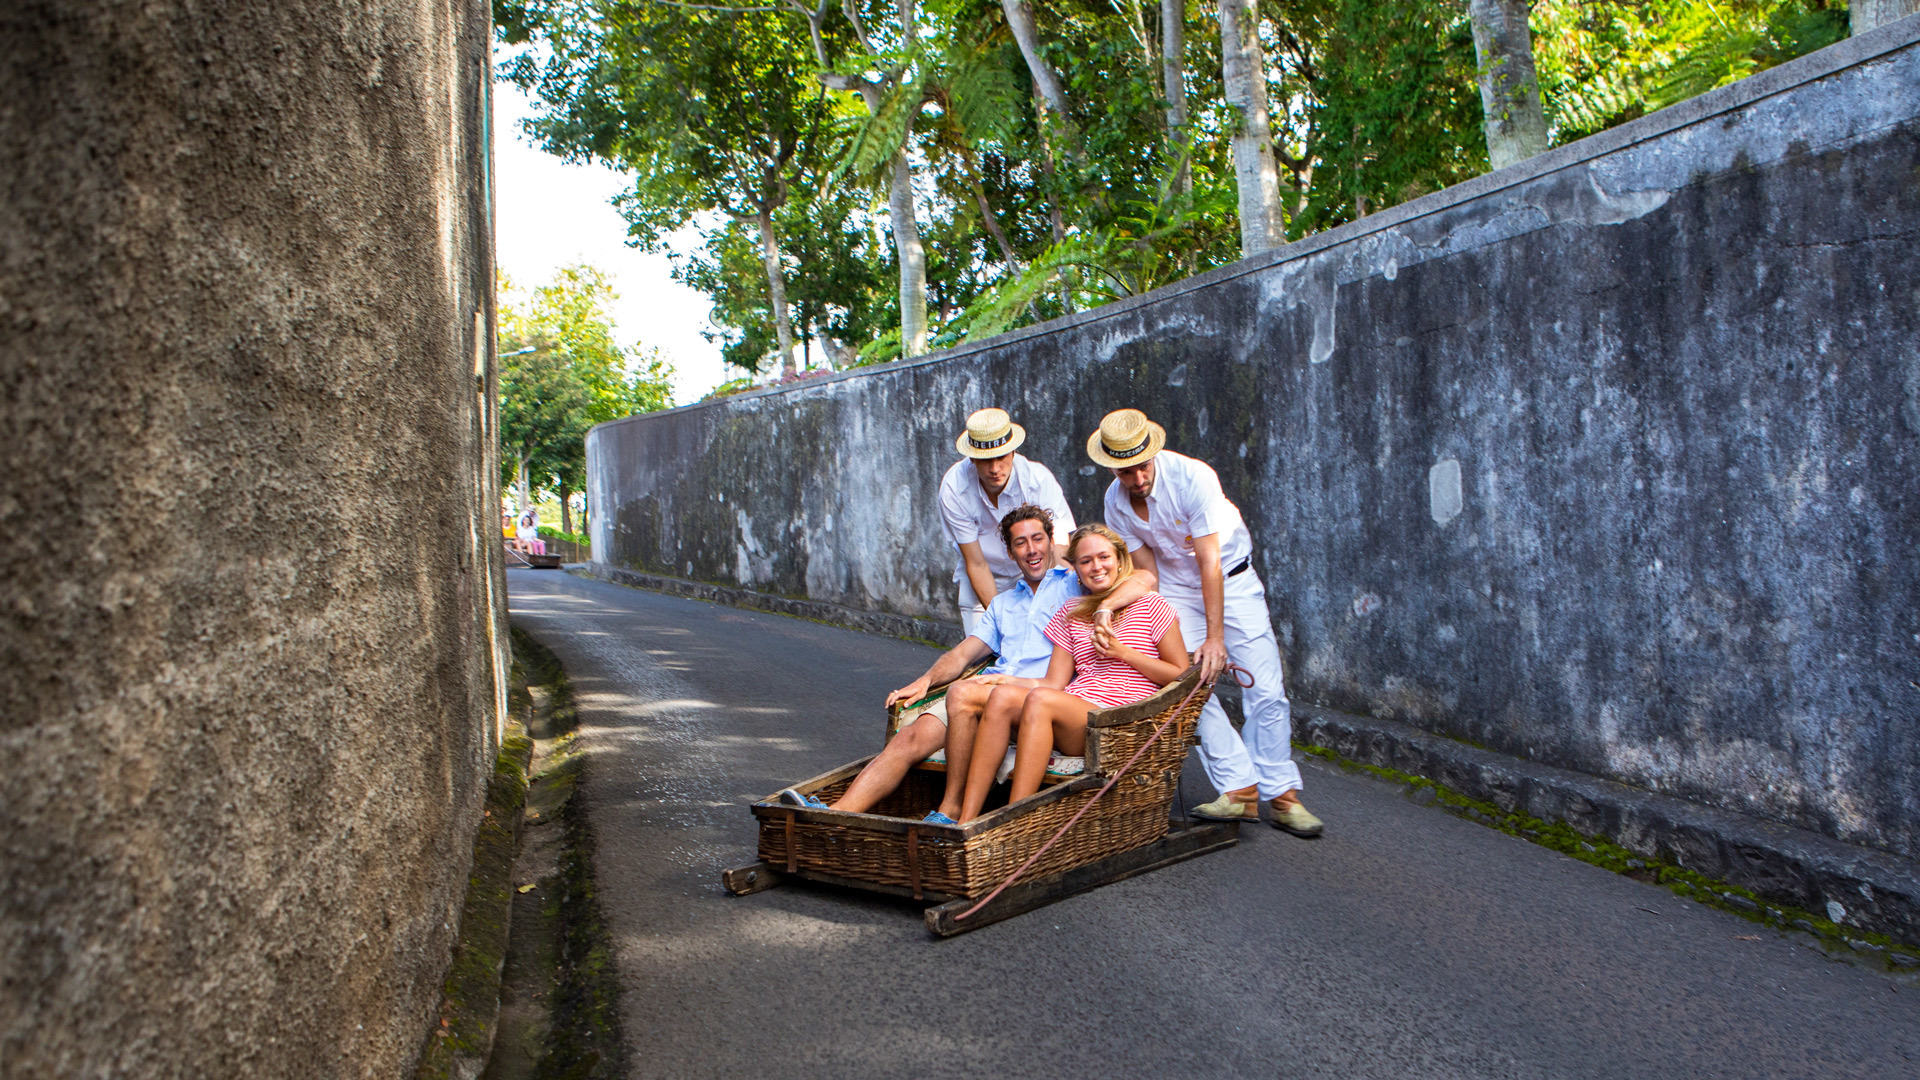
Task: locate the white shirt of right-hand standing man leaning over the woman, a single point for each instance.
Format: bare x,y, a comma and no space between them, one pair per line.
1184,504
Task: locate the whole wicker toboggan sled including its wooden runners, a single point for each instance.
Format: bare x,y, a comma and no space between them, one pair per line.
955,866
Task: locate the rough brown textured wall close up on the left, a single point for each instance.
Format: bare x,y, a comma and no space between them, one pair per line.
249,599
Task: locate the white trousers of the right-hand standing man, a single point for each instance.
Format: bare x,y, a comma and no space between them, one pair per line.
1262,752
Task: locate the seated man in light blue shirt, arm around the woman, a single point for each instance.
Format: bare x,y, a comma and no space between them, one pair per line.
1015,629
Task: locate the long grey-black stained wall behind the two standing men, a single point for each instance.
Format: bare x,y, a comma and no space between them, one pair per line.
1675,372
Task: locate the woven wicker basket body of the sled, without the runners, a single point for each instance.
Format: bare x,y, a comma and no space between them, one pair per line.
892,850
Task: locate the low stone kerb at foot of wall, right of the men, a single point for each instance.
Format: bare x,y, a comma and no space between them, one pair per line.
1879,891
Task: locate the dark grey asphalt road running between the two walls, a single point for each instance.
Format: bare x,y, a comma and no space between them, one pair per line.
1404,945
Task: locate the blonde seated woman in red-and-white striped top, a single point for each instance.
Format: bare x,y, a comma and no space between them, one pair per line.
1095,666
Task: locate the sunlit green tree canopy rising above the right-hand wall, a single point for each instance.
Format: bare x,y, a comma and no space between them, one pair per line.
999,162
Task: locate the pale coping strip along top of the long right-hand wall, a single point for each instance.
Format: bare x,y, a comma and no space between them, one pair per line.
1800,72
